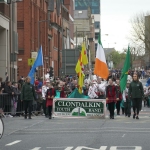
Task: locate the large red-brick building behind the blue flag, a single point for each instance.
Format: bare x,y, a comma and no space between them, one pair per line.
29,13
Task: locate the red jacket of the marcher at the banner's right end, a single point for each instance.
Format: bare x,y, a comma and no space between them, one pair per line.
111,94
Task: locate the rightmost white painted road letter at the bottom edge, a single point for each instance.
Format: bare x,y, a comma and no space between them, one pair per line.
125,148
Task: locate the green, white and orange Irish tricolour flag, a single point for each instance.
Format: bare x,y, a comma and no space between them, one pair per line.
101,68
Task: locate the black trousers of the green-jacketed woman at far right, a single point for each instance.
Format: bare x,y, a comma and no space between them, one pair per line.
137,102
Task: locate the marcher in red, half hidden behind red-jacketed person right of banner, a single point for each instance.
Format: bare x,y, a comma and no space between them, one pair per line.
120,96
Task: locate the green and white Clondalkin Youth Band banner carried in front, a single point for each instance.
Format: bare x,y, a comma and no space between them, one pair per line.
76,107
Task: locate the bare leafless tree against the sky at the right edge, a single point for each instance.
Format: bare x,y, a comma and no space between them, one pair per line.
140,33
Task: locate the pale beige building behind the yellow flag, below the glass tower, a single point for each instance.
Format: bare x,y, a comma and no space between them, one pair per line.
84,29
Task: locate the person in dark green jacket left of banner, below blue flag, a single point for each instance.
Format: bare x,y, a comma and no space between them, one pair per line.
27,96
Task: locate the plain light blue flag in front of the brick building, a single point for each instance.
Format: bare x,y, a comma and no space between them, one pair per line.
38,62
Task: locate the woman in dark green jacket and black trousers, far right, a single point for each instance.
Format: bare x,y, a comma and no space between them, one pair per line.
136,93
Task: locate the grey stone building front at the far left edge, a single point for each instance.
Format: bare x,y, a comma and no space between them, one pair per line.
8,39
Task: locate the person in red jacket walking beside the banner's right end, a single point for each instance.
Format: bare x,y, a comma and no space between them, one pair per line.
111,97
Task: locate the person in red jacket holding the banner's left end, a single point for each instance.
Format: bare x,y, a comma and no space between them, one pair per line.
50,94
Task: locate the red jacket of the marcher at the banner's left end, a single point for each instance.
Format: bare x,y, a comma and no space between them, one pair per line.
50,92
